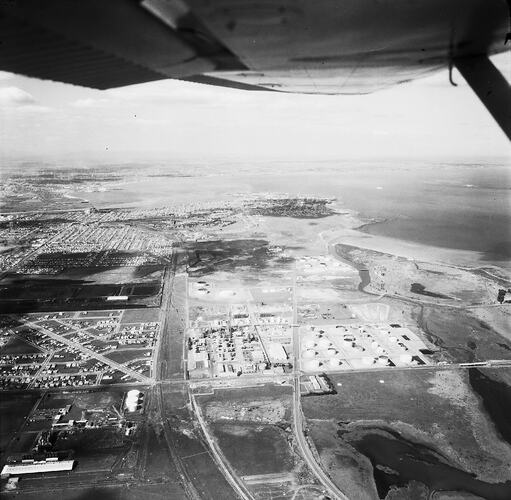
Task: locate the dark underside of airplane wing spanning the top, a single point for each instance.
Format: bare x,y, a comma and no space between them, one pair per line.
305,46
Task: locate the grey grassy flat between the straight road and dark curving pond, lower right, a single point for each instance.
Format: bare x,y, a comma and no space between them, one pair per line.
436,409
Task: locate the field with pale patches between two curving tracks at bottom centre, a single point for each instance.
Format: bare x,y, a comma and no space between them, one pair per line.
252,428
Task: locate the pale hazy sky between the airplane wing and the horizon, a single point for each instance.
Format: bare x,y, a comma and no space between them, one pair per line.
170,119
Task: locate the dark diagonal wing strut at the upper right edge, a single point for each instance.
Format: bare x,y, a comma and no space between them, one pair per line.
490,86
